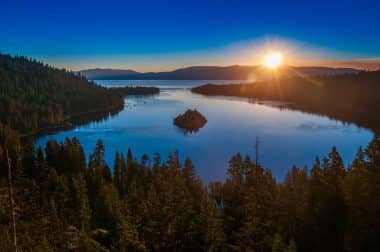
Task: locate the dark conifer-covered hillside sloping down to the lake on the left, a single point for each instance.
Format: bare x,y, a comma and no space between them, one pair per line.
34,95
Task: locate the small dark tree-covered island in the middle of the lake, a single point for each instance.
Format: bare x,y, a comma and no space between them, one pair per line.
190,121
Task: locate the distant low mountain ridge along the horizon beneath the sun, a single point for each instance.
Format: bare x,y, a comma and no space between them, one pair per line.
235,72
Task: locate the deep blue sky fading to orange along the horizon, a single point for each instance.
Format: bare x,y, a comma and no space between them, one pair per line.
164,35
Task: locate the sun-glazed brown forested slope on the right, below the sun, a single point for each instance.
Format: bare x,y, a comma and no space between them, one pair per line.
352,98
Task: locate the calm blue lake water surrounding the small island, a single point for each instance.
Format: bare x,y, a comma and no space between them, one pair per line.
146,126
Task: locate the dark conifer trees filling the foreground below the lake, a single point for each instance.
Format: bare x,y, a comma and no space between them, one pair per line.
63,203
